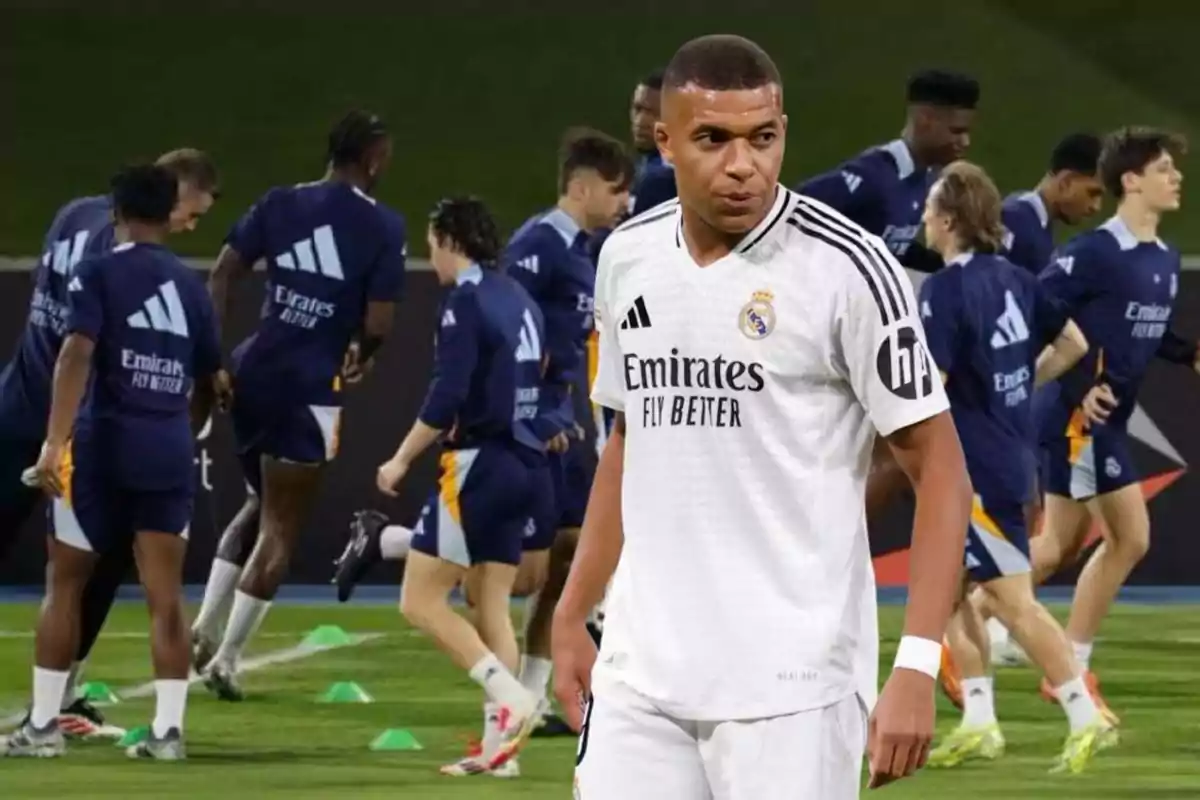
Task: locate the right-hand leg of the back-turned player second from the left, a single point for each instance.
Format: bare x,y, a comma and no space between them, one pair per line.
160,546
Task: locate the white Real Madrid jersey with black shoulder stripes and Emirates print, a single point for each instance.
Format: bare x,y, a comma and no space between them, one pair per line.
753,390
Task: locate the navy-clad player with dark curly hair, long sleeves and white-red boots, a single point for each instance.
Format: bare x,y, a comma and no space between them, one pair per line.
481,405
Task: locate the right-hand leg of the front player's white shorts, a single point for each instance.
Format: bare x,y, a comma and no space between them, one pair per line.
811,755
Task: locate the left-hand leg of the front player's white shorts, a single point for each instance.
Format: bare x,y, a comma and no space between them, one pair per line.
629,750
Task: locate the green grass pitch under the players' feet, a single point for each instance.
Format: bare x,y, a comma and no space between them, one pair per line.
283,743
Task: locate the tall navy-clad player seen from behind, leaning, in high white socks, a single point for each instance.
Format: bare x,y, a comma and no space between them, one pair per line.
335,268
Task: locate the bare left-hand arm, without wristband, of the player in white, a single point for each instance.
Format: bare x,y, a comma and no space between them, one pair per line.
596,561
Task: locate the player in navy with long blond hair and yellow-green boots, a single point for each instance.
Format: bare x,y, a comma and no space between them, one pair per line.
988,323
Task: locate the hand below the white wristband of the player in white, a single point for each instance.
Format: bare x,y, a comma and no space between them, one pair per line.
902,730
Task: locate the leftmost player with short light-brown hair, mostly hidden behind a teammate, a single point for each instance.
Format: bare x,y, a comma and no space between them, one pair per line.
83,227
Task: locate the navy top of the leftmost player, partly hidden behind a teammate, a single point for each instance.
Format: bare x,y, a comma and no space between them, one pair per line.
81,228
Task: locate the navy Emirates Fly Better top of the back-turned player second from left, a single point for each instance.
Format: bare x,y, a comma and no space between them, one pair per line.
154,328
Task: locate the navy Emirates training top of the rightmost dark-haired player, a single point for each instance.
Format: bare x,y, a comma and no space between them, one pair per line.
1121,293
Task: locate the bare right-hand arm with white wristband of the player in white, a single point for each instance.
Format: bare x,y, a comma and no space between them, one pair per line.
903,726
